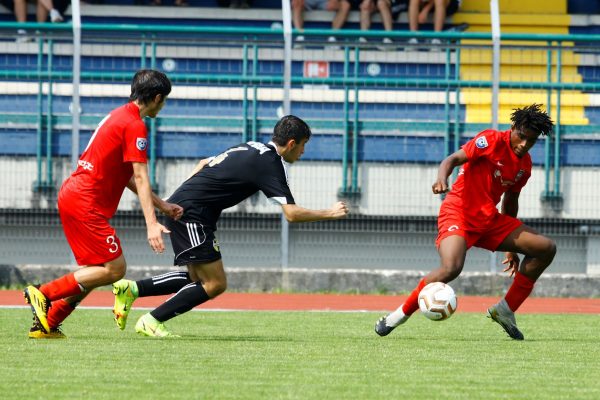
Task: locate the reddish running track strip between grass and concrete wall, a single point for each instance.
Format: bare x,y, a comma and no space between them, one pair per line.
330,302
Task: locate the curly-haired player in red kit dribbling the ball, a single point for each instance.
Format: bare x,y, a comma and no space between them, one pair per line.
493,164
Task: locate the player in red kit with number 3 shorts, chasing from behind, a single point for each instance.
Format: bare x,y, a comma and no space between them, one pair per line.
114,158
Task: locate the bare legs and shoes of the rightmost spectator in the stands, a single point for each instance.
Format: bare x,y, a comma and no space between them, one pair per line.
418,11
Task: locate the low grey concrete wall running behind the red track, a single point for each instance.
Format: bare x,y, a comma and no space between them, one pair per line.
336,280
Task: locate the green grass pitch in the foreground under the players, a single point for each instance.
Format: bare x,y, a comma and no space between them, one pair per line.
302,355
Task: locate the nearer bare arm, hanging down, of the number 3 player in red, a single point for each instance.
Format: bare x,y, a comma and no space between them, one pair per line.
144,192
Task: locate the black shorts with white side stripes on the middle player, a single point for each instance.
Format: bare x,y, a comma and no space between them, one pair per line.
193,242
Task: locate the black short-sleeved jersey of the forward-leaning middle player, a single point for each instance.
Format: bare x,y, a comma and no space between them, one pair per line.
232,177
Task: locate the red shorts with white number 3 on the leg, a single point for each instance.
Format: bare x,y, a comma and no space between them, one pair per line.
90,236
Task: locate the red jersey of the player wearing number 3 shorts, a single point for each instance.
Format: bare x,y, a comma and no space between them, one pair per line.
105,167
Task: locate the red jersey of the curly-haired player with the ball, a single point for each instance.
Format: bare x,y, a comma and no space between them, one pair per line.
492,168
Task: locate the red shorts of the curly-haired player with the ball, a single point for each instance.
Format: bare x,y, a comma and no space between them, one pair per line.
489,237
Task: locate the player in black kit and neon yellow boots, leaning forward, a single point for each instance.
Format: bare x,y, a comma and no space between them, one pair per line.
218,183
